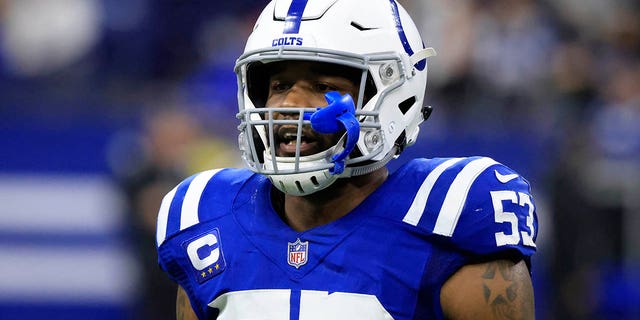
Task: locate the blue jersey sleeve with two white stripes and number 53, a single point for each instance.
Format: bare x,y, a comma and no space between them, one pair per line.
478,206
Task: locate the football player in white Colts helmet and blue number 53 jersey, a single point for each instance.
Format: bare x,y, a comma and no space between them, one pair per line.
316,227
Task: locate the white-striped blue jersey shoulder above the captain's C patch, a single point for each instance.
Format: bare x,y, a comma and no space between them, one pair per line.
202,196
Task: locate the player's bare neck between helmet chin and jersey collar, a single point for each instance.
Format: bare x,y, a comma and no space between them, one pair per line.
304,213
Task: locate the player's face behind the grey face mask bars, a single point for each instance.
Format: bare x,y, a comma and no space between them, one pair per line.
298,84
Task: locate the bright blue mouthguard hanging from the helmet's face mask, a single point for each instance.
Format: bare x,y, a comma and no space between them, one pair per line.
338,115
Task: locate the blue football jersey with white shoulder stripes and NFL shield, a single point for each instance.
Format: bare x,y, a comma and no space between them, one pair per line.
220,238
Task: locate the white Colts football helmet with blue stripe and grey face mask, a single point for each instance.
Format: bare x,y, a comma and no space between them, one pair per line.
375,37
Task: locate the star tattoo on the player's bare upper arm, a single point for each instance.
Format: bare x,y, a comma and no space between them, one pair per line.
506,296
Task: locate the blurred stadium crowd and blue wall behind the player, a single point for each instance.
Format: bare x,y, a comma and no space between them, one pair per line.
142,94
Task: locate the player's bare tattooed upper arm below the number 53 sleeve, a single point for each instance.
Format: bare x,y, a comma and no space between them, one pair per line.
499,289
